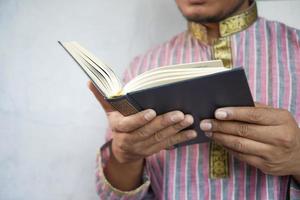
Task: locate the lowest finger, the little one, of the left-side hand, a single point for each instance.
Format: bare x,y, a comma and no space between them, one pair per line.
169,142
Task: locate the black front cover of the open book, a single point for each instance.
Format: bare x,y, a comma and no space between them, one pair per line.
199,97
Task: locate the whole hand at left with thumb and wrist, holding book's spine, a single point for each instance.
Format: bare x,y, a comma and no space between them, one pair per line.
137,136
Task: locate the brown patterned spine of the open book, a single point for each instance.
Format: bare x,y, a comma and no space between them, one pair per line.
124,105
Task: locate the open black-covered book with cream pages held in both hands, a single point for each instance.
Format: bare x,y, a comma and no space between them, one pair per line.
197,88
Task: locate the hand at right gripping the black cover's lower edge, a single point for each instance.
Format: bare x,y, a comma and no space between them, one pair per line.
264,137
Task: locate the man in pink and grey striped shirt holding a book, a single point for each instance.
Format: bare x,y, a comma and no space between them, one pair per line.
263,141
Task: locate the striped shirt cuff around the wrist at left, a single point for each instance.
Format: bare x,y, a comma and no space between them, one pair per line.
105,190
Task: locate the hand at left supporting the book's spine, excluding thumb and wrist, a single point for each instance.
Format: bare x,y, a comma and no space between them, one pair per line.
143,134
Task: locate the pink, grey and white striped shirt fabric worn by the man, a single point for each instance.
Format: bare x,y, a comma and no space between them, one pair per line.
270,54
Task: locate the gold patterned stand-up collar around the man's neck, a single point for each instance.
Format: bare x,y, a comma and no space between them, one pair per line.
228,26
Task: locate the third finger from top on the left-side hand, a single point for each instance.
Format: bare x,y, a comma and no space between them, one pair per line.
169,131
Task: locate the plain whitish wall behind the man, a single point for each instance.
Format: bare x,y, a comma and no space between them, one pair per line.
50,124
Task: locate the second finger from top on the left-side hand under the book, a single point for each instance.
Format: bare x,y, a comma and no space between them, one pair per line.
159,123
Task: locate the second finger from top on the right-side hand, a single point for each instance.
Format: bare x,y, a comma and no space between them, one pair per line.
264,134
